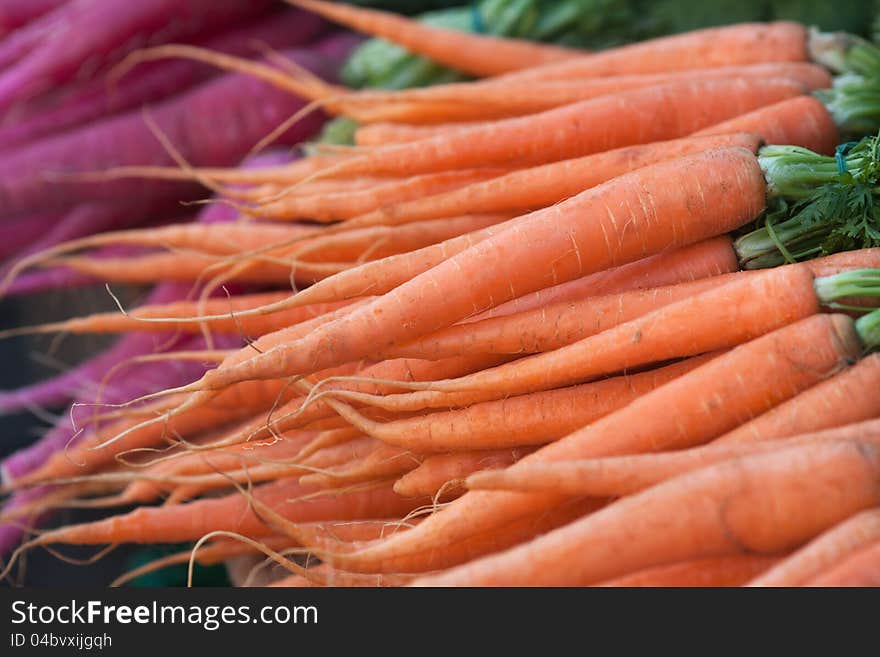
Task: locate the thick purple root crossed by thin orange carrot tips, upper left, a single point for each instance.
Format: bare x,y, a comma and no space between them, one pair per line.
213,125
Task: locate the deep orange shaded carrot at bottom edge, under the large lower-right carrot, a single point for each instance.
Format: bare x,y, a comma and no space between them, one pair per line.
713,571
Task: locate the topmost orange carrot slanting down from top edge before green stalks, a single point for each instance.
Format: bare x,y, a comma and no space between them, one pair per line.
477,54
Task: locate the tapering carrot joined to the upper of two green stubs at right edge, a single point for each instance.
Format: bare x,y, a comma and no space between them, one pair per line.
720,317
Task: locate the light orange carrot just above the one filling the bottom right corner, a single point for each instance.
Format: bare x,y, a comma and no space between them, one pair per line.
828,549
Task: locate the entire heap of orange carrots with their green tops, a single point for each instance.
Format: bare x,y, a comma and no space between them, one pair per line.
521,351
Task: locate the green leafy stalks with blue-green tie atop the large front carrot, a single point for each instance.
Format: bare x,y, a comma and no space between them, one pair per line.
815,207
